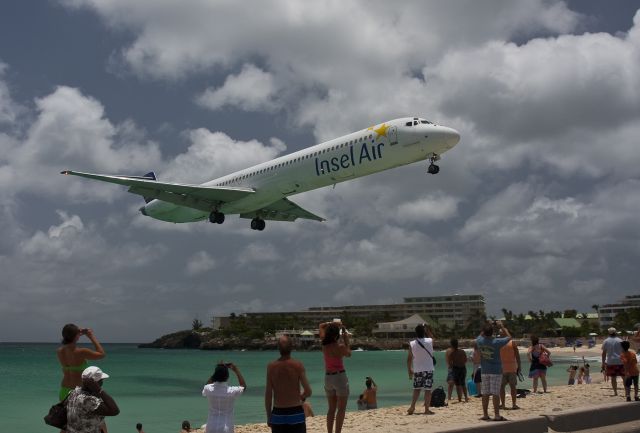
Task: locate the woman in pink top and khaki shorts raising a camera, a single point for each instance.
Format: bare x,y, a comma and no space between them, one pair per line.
336,384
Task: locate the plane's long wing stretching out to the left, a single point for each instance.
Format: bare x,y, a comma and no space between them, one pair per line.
194,196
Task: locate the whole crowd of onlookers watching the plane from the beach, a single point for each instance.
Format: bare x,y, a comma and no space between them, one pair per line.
496,365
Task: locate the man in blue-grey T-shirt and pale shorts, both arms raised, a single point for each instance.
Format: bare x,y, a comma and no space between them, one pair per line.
491,366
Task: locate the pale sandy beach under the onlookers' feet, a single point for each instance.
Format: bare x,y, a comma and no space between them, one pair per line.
466,414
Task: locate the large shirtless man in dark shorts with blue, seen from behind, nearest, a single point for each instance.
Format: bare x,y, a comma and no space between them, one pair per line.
282,396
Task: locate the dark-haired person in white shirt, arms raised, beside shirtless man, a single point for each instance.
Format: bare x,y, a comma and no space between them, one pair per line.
221,398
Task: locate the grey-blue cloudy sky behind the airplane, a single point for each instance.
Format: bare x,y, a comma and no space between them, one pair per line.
536,208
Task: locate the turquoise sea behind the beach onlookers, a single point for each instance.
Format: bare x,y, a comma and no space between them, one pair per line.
161,388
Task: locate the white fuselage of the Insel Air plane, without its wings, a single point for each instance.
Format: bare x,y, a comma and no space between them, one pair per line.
388,145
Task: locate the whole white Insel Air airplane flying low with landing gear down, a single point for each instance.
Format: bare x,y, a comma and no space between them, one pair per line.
260,192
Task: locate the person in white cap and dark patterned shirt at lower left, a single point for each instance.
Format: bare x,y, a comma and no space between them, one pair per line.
87,405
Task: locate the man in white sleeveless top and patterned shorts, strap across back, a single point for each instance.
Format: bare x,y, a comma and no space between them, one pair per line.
420,366
